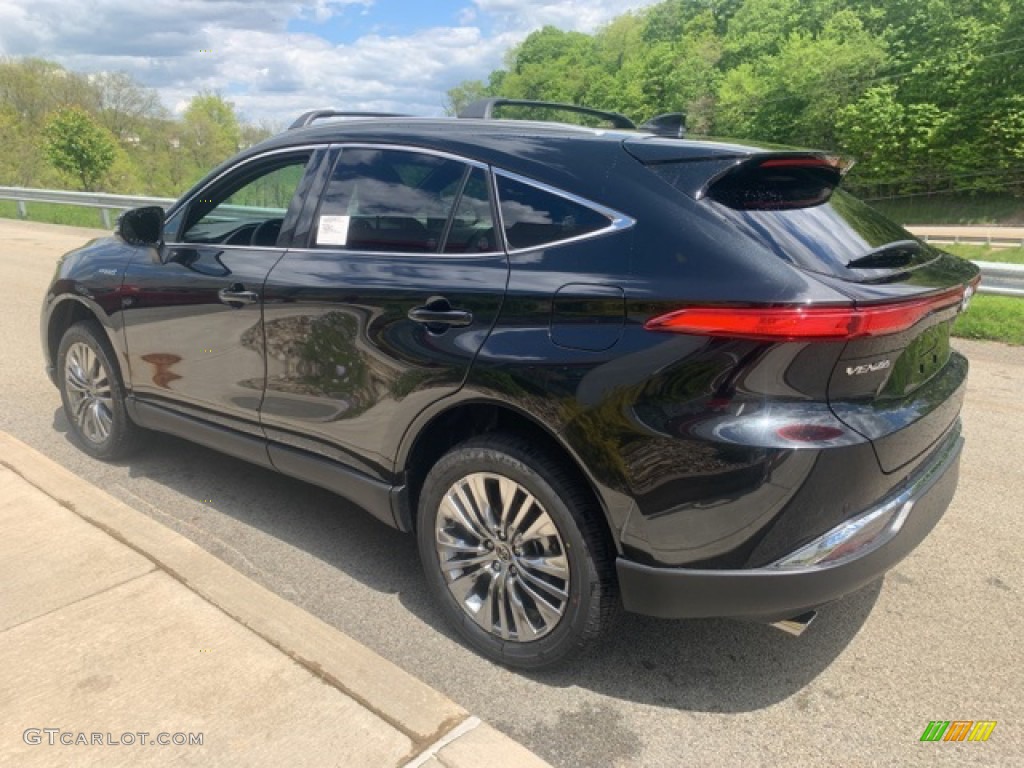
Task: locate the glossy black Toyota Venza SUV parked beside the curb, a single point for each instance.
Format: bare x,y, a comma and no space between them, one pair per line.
588,368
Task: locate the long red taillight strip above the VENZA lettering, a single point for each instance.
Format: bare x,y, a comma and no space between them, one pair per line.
804,323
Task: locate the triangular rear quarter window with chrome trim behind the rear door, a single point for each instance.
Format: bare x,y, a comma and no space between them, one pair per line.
534,218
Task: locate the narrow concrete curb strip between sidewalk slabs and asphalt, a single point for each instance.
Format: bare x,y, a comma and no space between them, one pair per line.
443,733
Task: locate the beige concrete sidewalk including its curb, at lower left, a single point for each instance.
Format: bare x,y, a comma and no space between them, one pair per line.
124,644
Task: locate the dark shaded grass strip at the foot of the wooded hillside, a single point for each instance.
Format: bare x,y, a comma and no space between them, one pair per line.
955,210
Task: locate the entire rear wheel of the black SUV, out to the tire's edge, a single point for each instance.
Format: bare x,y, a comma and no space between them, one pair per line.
581,542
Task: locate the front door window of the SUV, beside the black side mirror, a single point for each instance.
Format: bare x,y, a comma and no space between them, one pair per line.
248,208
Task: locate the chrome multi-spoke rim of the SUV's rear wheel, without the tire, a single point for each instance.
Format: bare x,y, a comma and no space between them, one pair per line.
503,558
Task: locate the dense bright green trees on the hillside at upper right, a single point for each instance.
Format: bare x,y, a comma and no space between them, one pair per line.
927,96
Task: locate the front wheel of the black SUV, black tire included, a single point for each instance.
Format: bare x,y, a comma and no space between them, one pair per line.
103,393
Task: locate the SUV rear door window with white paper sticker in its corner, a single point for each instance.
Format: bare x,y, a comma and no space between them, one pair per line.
389,200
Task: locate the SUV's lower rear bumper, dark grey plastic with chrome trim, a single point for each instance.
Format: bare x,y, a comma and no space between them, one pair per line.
862,550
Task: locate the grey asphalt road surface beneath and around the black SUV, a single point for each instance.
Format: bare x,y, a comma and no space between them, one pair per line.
941,639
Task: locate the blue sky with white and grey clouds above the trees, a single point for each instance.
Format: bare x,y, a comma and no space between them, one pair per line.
277,59
